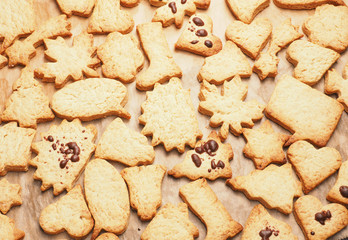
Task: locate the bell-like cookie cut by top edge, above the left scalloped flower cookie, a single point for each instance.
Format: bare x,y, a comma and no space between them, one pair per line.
108,17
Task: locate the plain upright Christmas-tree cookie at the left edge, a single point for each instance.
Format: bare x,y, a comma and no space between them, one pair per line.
28,104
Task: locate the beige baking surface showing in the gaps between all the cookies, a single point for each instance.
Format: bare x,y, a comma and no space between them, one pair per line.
27,215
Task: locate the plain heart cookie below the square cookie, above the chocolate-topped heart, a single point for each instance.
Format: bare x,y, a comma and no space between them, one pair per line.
312,165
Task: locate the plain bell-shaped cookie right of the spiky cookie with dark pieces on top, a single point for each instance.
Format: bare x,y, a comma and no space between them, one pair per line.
129,147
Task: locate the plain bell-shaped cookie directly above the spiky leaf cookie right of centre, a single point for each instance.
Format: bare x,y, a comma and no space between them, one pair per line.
225,65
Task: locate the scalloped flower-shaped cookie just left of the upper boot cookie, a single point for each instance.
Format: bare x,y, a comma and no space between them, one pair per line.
121,57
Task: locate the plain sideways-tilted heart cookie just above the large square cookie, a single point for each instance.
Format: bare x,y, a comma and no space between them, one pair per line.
311,61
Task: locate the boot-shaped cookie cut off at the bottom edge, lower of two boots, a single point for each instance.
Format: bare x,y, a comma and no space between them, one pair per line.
204,203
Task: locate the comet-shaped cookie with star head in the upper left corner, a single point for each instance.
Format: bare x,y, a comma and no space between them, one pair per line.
22,51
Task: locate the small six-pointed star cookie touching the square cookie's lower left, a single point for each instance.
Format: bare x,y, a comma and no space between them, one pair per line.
264,145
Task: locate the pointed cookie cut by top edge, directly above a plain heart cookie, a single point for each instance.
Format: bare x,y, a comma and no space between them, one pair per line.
246,11
